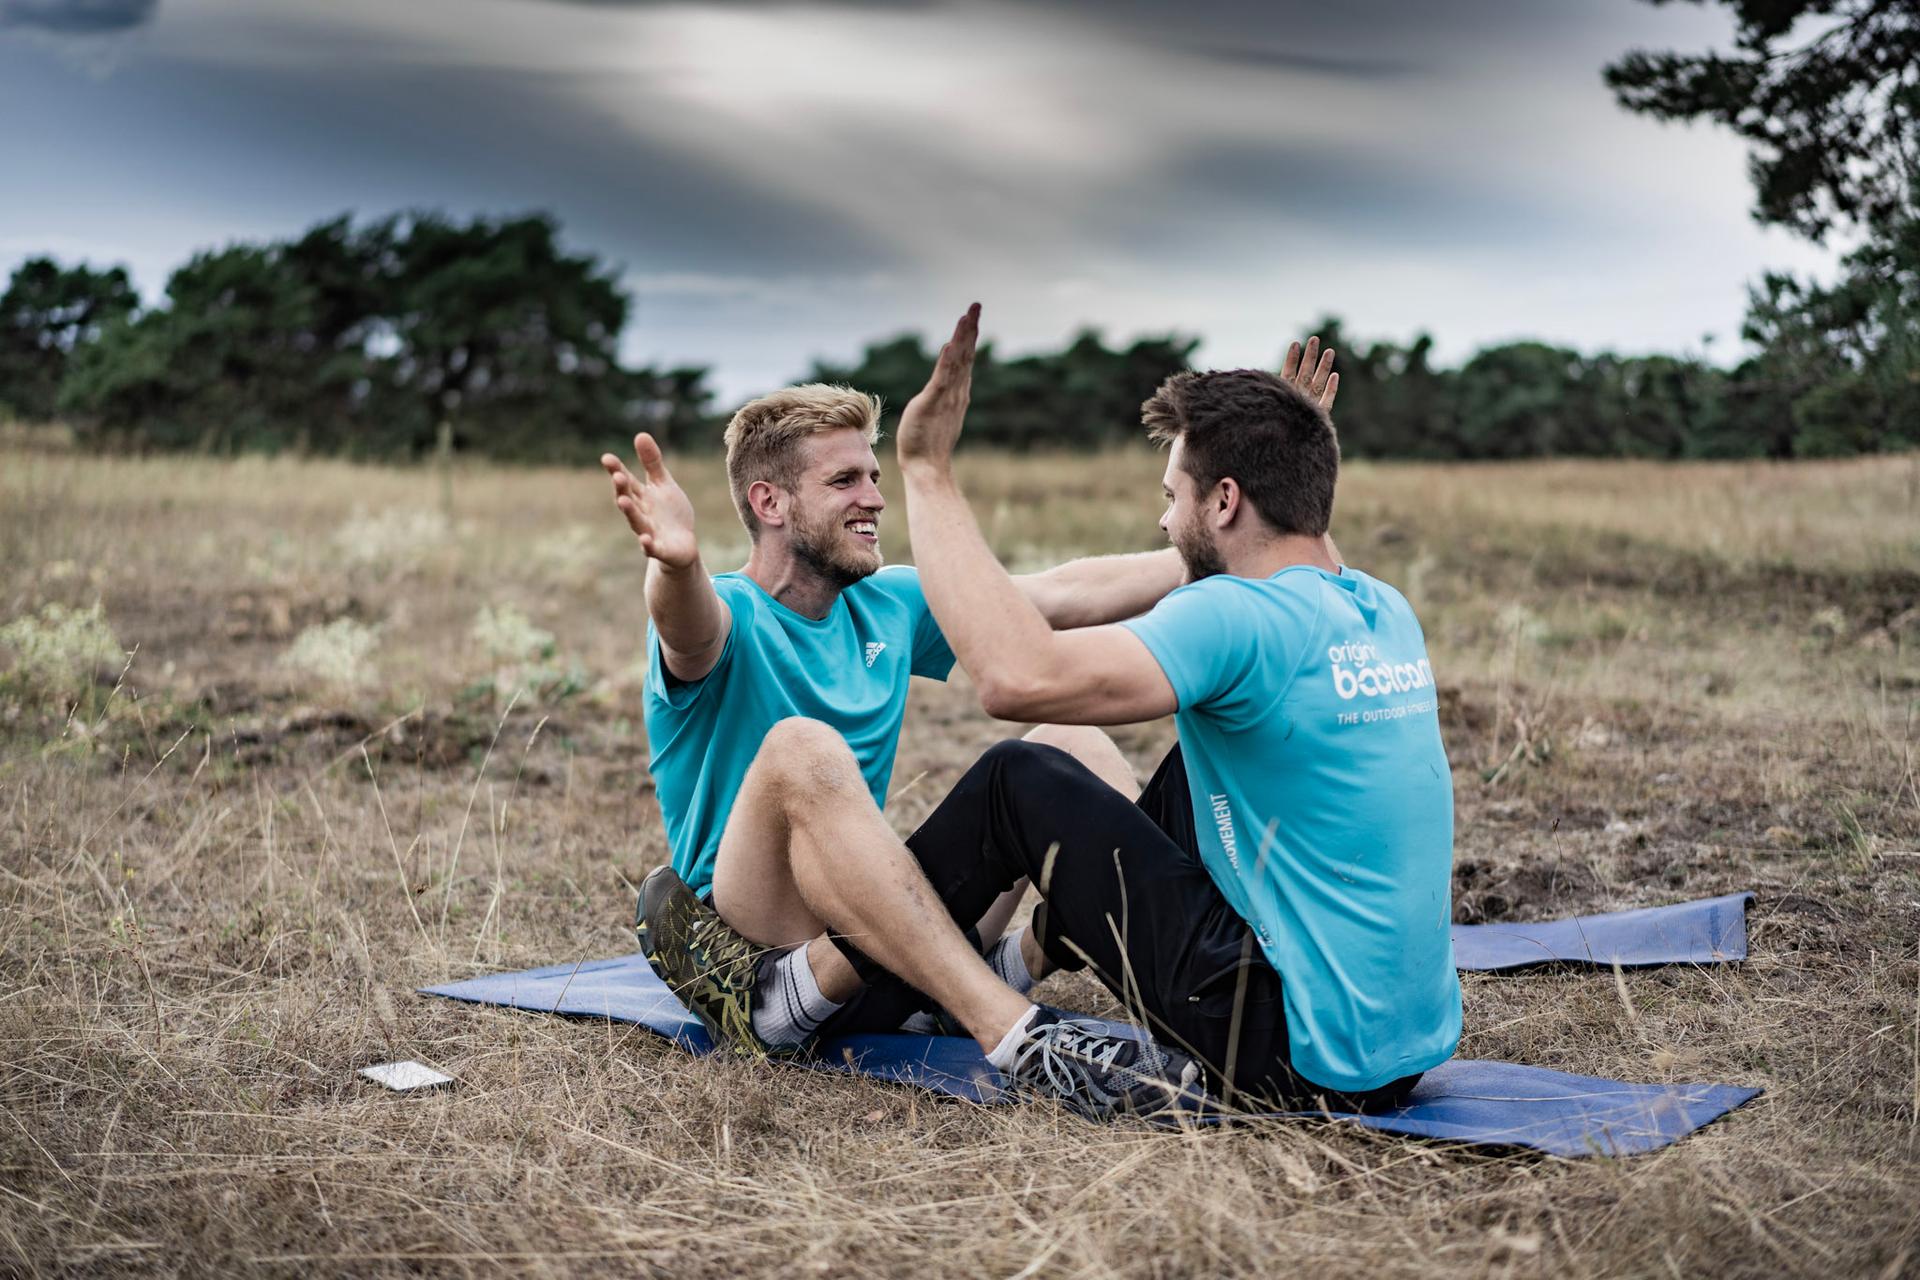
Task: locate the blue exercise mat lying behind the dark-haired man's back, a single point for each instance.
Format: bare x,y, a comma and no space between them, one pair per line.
1685,934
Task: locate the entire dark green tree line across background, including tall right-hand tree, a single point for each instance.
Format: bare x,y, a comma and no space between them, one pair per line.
418,333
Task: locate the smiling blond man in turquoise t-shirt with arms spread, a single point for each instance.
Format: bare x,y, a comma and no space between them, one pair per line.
775,701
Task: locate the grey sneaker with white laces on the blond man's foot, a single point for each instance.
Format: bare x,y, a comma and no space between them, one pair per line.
1097,1074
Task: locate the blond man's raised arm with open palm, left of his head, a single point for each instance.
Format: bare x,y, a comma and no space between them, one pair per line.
686,611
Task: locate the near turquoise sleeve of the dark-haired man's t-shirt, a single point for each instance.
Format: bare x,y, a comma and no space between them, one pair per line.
1209,642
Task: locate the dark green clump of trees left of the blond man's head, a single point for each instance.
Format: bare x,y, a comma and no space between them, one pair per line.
389,339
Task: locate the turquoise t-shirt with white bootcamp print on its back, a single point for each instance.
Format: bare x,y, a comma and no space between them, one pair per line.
1324,805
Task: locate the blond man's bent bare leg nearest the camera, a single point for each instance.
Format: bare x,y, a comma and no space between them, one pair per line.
809,851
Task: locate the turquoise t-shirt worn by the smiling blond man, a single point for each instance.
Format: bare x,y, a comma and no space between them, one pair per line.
850,671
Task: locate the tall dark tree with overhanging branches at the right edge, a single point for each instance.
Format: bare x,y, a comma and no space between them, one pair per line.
1829,97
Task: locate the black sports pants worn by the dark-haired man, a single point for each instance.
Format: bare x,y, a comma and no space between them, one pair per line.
1122,893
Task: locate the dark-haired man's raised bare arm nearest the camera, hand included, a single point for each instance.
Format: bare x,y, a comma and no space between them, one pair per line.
1024,669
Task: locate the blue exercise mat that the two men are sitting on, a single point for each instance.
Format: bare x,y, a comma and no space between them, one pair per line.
1476,1102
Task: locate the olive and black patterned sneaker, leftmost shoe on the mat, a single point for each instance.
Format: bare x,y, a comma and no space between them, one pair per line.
706,962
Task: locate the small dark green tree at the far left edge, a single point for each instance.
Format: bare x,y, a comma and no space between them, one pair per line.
47,314
